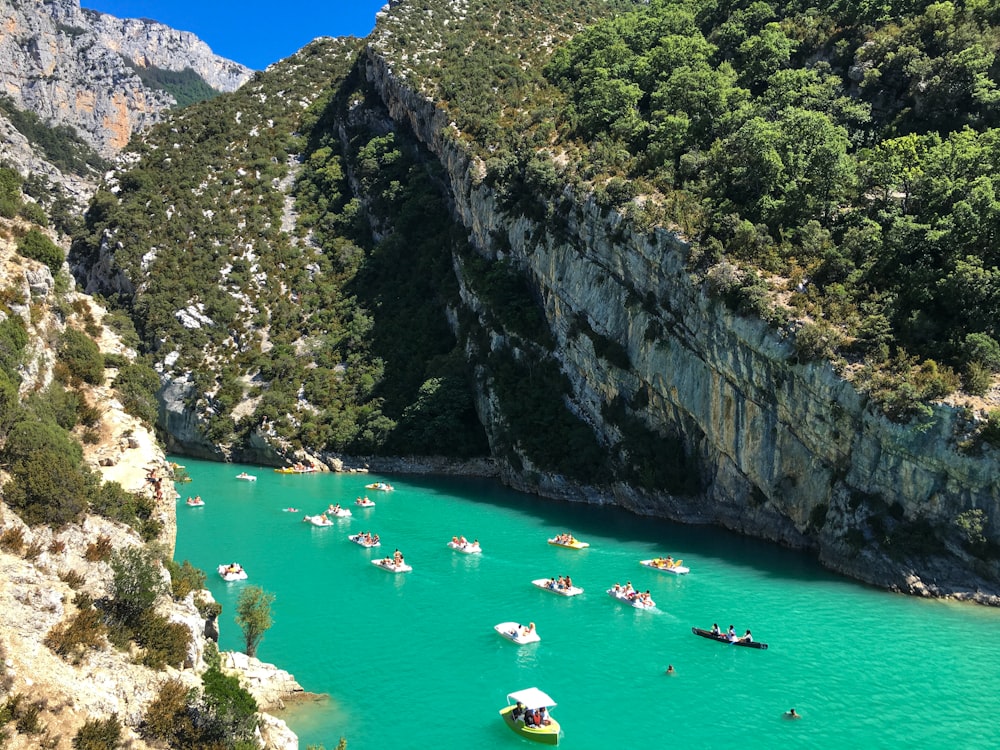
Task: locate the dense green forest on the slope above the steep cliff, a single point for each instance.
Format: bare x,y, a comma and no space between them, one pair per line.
831,165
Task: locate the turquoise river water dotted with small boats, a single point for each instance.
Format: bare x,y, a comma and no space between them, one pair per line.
412,661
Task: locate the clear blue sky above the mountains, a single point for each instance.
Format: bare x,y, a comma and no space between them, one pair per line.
252,32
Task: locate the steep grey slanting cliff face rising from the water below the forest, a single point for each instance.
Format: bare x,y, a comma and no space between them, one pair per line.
787,452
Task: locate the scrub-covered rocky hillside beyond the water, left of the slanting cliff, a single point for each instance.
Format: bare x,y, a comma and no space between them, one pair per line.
286,306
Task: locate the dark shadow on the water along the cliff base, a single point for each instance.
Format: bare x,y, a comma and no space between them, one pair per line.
621,525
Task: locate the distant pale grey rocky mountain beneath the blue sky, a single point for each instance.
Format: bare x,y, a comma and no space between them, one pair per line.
68,66
